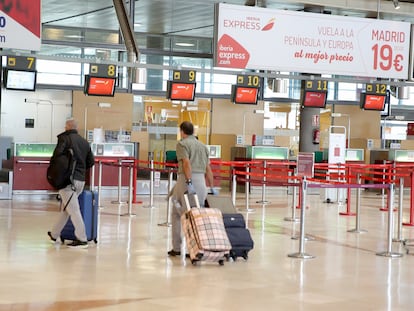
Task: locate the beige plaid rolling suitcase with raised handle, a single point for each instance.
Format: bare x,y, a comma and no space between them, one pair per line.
204,232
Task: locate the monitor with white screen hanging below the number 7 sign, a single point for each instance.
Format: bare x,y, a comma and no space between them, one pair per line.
19,79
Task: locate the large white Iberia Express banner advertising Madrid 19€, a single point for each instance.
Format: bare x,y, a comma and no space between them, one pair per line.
260,38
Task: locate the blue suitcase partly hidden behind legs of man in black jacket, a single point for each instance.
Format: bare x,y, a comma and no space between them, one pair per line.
88,202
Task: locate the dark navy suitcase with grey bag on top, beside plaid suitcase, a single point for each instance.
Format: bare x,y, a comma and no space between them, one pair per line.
239,236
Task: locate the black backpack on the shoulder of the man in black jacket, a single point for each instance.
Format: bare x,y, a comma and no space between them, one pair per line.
61,169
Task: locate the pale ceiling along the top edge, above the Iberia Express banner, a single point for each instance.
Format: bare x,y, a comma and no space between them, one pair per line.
196,17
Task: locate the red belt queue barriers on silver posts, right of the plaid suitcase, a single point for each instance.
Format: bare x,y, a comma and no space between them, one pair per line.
346,176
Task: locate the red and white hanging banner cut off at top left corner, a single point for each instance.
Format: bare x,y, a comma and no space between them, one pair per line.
20,24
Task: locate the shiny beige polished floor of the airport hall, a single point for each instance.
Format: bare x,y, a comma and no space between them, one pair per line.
128,269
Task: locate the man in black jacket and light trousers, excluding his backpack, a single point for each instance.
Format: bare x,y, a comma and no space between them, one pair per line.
69,195
